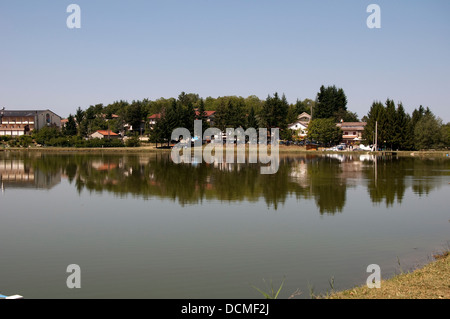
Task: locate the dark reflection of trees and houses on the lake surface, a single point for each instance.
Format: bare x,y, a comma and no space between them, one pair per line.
322,178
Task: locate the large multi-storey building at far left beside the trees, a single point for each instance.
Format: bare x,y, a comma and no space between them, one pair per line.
18,123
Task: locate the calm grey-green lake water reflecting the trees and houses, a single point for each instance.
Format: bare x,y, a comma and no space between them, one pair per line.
140,226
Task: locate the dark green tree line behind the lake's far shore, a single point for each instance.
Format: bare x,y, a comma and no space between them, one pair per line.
396,128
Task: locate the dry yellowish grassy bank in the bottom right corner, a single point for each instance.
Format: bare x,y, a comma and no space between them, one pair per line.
429,282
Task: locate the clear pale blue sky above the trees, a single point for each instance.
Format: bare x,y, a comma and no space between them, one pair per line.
151,49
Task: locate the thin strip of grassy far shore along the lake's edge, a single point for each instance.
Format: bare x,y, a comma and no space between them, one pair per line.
282,150
